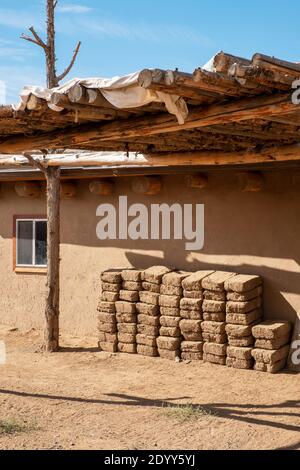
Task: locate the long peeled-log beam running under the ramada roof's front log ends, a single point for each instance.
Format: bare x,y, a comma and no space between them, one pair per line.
236,111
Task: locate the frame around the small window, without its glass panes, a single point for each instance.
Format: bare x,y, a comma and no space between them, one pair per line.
27,268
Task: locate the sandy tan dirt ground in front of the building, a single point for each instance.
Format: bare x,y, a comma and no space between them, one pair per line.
81,398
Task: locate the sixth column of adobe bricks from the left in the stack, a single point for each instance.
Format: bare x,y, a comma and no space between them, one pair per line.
214,316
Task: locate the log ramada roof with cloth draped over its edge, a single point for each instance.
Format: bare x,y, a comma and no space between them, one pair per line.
232,111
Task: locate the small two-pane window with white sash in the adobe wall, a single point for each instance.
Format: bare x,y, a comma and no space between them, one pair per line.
31,243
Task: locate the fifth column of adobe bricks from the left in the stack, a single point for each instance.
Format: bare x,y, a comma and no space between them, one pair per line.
191,316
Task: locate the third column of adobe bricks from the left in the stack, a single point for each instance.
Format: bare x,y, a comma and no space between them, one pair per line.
148,311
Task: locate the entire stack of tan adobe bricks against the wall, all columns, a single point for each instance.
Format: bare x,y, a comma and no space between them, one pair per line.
211,315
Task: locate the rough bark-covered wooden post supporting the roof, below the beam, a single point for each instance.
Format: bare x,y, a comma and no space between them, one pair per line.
53,245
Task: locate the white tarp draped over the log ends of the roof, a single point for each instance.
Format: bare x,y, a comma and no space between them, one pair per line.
121,92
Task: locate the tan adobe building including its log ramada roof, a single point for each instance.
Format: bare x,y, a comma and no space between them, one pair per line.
225,137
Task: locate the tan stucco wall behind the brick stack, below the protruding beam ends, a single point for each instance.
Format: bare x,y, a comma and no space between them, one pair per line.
245,232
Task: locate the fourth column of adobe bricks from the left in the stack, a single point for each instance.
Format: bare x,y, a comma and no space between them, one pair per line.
169,300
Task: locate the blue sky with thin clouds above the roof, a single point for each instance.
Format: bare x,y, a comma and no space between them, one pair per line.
123,36
